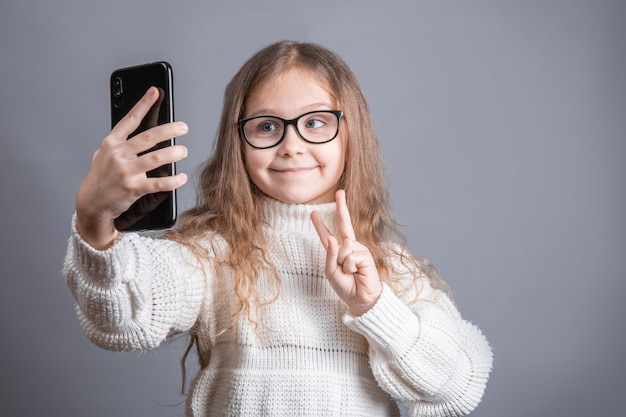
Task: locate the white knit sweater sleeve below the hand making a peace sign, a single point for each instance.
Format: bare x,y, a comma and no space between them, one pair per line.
425,355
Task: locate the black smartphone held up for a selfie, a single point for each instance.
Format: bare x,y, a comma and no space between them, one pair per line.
127,85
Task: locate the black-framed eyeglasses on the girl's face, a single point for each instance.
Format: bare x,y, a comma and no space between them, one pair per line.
264,132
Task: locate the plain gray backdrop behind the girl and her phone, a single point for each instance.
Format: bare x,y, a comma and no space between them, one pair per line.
502,124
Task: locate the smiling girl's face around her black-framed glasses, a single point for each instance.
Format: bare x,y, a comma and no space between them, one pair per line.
295,171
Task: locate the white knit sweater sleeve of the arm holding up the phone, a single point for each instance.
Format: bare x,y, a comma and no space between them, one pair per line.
134,294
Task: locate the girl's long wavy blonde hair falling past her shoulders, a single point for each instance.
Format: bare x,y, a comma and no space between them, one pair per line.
228,200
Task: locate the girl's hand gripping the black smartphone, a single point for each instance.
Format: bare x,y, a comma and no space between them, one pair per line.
117,176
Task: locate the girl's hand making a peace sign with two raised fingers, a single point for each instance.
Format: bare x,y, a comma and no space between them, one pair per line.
350,267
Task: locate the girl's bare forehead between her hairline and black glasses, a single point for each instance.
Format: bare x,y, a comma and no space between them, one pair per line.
290,93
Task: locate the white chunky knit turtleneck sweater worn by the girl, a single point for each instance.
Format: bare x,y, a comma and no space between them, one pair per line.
308,356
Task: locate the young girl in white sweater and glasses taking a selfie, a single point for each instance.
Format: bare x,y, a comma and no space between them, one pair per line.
289,273
